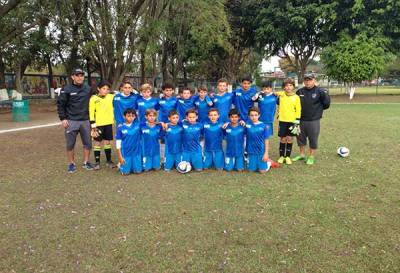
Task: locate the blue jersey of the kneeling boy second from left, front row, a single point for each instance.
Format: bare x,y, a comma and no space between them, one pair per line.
150,139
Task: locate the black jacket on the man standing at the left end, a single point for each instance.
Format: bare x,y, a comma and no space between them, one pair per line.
73,102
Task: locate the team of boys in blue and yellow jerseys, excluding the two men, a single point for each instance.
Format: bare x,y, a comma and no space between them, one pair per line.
208,131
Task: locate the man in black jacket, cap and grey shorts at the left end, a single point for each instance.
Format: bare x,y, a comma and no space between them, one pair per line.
73,111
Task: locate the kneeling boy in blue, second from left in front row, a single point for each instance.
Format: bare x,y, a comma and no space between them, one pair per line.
151,134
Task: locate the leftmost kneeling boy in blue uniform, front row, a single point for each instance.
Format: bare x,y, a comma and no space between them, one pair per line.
128,144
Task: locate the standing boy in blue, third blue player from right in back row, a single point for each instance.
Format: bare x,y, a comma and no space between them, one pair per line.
223,100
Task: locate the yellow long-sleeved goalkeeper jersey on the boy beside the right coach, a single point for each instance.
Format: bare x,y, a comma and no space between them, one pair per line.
289,107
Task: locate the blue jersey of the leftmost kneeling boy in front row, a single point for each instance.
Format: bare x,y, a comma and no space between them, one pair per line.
129,135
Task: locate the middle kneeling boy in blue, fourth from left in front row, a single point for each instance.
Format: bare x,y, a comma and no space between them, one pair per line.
191,135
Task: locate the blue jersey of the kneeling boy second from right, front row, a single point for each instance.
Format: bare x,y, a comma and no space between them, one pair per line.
234,140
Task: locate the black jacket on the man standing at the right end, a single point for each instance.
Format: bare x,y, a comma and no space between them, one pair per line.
313,102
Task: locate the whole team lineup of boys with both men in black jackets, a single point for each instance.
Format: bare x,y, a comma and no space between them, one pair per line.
224,131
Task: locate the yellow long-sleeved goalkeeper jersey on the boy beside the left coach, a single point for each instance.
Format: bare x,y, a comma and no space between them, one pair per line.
101,110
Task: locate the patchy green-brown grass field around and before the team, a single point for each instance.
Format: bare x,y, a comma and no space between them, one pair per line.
341,215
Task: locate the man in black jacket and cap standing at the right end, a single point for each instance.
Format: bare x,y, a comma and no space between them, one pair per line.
314,100
